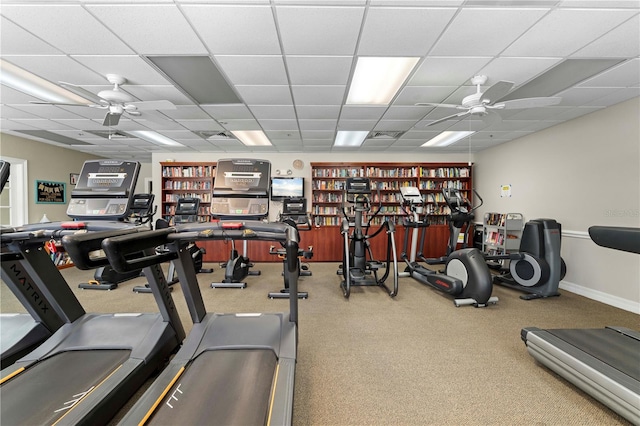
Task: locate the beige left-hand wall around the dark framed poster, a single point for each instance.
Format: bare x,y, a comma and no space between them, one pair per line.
49,162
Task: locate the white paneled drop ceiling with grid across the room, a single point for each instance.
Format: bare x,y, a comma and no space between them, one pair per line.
290,63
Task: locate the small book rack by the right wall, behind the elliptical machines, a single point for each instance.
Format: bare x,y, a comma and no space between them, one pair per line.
502,232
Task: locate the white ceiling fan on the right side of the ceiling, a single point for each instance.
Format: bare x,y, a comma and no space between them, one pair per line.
483,104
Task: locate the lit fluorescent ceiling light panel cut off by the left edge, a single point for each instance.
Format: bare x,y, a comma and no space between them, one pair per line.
23,81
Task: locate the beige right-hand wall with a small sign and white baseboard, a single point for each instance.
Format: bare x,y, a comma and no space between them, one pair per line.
583,172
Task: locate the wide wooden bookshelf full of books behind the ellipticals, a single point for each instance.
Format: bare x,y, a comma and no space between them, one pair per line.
328,183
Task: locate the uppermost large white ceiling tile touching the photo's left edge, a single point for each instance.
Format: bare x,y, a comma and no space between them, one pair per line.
66,27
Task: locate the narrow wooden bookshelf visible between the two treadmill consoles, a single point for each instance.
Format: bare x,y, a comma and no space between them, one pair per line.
185,180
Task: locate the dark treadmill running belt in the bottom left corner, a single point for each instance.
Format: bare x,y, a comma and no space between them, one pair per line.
44,393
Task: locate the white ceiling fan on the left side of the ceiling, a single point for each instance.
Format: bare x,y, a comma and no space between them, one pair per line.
115,101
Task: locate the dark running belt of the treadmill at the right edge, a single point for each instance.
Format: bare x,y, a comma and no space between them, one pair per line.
611,347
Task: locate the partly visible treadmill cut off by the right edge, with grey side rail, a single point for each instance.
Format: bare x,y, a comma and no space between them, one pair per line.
605,363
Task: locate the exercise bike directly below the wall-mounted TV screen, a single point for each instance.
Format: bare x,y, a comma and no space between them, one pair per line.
294,213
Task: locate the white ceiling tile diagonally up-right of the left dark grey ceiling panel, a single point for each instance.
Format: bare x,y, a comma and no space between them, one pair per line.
235,30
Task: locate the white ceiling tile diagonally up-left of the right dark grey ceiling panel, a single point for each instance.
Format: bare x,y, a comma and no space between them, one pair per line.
565,31
